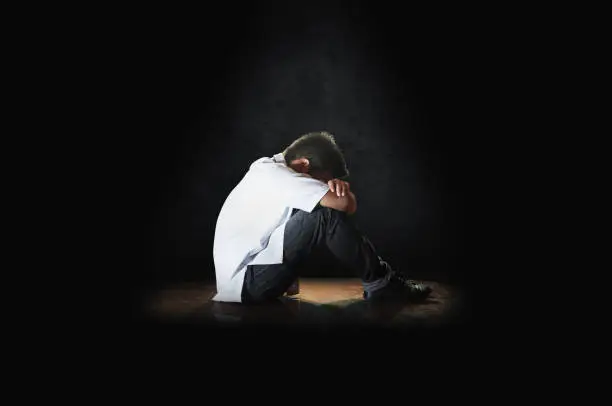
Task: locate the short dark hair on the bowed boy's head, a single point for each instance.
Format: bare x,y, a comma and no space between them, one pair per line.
321,150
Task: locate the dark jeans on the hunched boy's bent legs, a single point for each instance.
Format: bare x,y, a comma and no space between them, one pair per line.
303,233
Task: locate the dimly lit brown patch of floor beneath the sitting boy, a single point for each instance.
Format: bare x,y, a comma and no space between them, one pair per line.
320,301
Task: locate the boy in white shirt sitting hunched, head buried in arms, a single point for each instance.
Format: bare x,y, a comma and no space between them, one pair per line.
283,208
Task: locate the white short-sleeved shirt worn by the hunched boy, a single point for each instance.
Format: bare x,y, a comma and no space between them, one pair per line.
251,224
